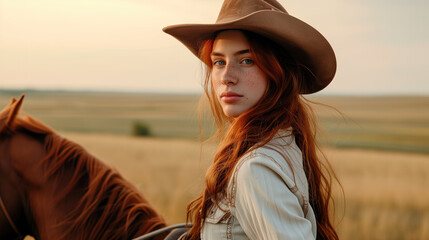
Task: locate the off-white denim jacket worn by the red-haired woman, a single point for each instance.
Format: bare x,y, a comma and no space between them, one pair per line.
267,197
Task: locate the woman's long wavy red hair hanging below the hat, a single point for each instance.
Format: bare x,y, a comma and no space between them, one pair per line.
281,107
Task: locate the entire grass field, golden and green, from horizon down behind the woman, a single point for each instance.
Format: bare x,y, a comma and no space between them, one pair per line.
386,194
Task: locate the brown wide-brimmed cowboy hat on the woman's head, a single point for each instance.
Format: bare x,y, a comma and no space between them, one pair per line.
268,18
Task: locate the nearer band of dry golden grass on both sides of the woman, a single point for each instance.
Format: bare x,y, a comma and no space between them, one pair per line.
385,193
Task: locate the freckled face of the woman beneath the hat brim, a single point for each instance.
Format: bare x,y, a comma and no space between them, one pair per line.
237,81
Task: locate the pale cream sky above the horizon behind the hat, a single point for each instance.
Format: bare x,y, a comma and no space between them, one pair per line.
382,46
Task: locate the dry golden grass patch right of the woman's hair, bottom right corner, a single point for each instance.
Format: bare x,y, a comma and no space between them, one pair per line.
386,194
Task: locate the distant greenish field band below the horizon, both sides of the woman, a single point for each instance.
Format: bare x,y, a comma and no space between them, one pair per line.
383,123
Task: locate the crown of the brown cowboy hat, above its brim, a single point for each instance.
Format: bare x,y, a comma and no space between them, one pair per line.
235,9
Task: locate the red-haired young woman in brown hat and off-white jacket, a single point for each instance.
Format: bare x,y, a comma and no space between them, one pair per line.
267,180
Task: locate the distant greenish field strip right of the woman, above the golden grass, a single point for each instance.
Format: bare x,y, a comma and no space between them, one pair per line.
397,123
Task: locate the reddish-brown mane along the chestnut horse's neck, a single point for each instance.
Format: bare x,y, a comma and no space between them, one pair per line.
109,208
